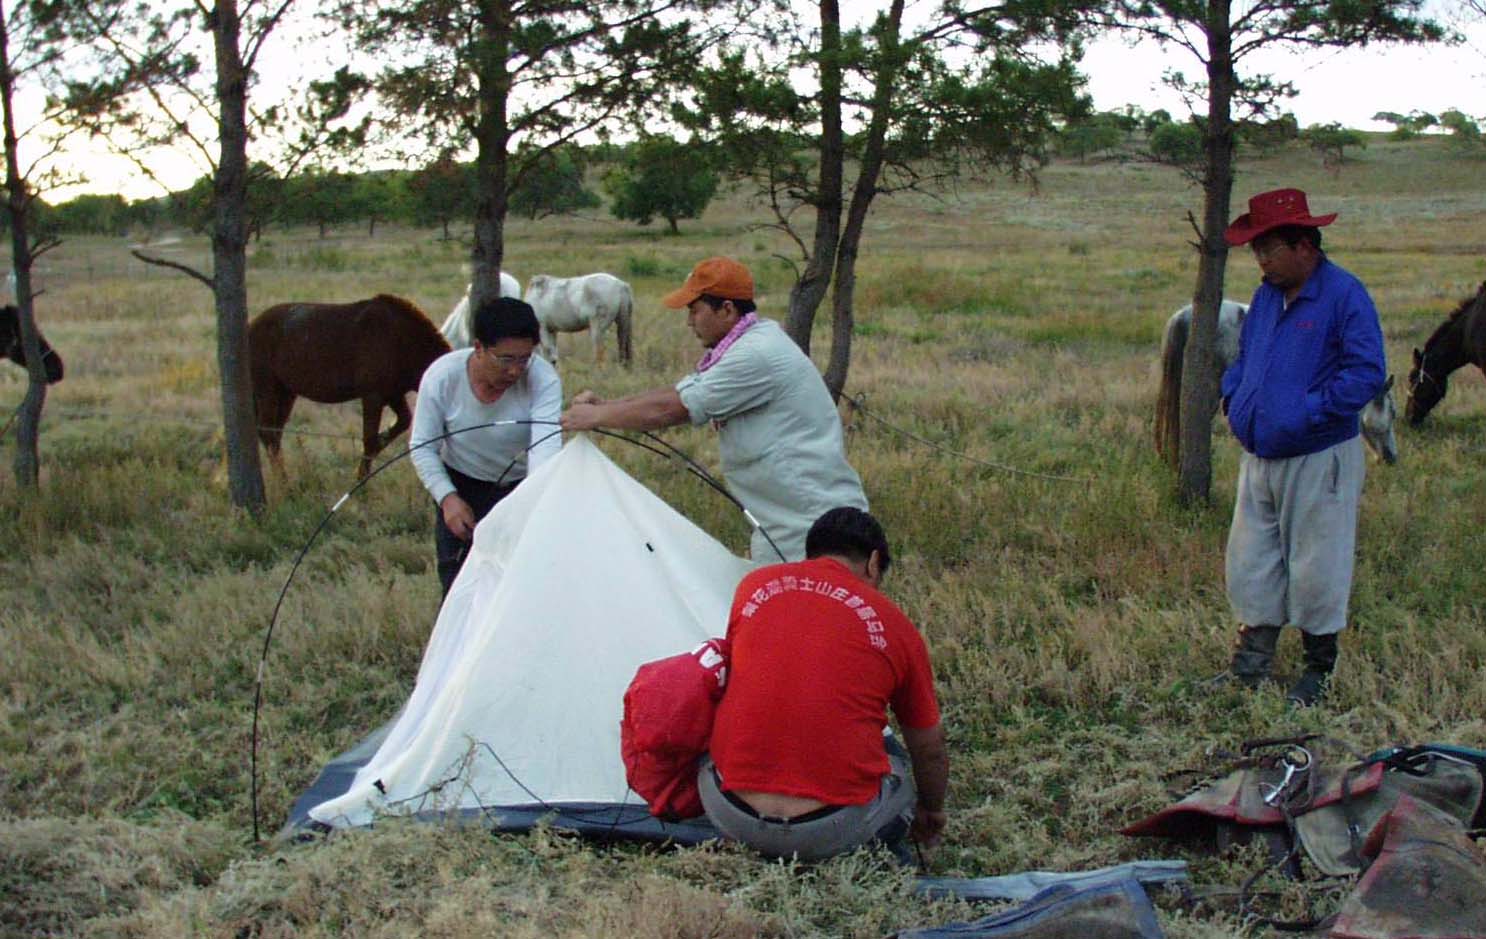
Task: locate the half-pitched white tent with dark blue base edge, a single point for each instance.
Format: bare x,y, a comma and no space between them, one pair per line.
573,582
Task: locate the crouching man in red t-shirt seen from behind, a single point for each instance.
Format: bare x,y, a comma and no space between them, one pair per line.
799,761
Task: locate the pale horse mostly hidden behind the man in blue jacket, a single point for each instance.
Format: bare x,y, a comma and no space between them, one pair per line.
1378,415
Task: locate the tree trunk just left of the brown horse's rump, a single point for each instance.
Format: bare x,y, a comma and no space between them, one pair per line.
230,252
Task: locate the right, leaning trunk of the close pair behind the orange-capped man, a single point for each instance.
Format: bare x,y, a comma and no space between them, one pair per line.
843,319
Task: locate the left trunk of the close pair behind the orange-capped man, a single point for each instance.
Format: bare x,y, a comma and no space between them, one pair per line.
815,280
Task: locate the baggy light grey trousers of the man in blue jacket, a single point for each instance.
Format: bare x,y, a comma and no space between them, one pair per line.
1294,540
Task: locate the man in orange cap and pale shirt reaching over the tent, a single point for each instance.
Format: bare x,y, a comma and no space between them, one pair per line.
781,441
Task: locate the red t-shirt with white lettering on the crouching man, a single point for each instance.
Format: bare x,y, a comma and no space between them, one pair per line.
818,657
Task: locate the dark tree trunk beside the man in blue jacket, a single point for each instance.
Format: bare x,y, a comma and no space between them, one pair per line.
1200,378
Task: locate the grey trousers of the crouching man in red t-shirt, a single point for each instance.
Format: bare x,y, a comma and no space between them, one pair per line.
820,834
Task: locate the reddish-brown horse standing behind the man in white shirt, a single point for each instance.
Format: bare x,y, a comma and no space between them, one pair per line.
331,353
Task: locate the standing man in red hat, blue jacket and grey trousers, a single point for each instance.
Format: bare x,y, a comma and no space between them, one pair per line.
1311,356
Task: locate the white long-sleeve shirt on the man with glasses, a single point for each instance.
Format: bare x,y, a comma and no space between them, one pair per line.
447,403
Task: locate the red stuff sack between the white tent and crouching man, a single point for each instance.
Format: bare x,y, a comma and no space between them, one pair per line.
668,726
